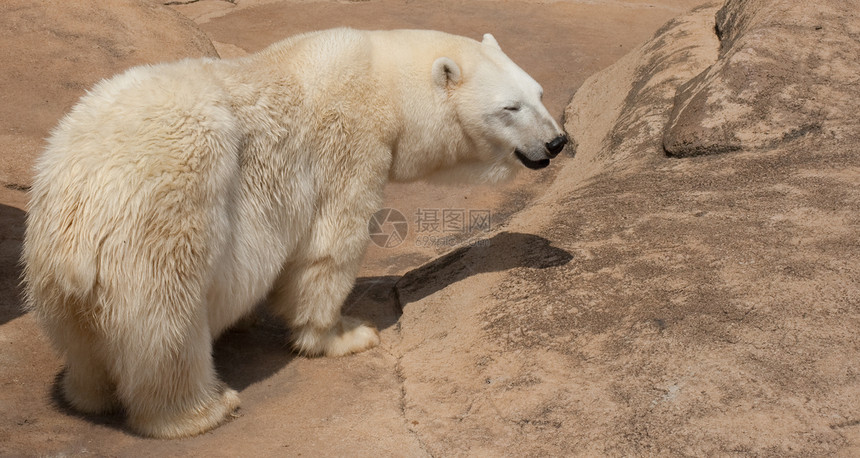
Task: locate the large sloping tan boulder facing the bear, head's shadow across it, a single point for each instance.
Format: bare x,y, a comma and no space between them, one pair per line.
647,305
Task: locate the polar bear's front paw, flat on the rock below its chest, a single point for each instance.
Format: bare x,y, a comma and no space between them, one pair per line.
348,336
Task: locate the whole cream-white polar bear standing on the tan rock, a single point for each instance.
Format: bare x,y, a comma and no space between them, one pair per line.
173,198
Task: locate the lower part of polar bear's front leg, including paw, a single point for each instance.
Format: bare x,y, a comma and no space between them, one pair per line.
309,297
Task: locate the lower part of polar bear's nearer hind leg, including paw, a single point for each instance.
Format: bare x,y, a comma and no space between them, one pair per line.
168,383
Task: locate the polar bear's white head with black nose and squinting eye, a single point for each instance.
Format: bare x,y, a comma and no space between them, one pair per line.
499,108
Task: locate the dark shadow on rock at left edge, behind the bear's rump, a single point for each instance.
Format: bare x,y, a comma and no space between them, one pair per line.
11,237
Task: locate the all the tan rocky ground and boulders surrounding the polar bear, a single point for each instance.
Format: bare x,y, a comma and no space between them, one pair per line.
687,284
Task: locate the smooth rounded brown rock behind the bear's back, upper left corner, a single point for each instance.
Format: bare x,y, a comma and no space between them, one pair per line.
58,50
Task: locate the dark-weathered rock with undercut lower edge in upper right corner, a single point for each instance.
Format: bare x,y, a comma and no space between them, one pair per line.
785,70
